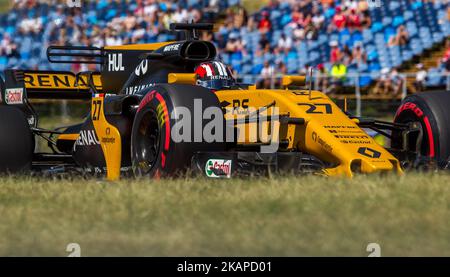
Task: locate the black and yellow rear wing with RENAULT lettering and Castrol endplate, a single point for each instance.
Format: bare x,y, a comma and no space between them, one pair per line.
52,84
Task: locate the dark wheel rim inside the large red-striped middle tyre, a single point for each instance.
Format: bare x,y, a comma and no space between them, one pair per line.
147,142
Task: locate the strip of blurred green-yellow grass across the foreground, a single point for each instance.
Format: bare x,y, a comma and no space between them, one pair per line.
282,216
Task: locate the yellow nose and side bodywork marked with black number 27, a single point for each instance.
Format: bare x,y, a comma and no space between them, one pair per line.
327,133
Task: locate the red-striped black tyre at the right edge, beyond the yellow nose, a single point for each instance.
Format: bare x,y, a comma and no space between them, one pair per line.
430,111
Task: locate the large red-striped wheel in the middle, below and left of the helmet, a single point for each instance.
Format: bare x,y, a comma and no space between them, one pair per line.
154,152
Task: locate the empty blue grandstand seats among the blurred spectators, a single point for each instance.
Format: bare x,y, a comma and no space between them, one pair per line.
425,21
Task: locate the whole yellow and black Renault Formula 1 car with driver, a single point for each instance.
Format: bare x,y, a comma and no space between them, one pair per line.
164,108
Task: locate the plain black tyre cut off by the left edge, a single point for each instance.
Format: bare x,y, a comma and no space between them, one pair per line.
16,141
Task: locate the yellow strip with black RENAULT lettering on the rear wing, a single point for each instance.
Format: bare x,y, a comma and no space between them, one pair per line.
58,81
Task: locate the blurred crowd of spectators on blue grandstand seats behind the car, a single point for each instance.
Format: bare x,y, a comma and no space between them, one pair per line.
336,37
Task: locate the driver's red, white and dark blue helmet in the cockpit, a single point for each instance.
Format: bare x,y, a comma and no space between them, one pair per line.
214,75
